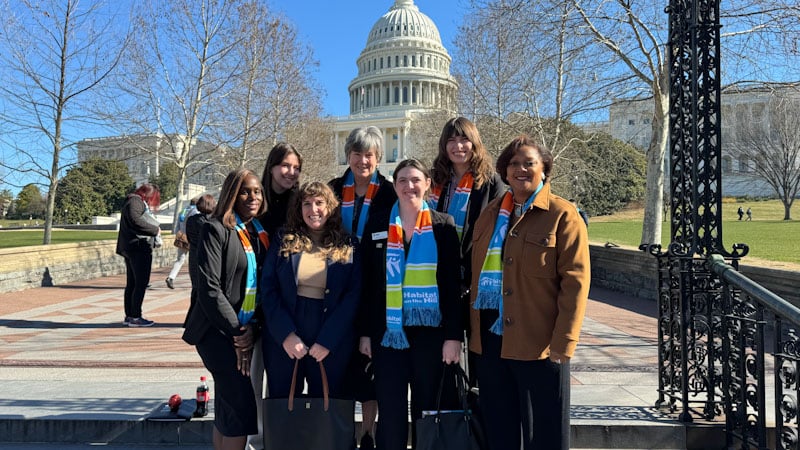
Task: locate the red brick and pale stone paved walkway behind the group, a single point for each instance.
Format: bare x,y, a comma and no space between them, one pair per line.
64,354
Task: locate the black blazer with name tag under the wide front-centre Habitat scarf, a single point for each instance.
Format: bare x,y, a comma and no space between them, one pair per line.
371,321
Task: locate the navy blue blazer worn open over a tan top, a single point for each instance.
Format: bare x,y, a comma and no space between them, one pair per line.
278,292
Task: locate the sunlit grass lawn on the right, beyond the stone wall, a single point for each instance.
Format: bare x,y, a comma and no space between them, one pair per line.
768,236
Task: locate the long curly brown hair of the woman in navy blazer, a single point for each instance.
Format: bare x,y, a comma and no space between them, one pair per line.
335,242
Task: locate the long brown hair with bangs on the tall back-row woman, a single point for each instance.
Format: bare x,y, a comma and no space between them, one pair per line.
480,163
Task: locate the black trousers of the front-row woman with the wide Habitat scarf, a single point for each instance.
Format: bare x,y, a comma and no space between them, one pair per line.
420,366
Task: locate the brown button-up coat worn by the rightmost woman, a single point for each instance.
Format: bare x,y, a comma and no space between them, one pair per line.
546,278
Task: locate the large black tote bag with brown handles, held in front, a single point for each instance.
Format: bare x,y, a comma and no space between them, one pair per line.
309,423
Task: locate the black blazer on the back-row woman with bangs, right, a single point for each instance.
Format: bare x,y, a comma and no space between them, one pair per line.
478,199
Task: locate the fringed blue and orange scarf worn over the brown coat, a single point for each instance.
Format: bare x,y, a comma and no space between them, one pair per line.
490,280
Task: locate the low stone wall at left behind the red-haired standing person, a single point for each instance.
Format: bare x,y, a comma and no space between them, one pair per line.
52,265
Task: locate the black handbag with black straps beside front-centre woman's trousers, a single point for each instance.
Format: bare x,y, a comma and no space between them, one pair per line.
453,430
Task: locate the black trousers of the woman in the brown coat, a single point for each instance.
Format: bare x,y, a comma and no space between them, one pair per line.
522,402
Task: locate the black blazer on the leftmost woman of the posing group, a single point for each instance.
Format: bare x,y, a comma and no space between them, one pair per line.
218,300
